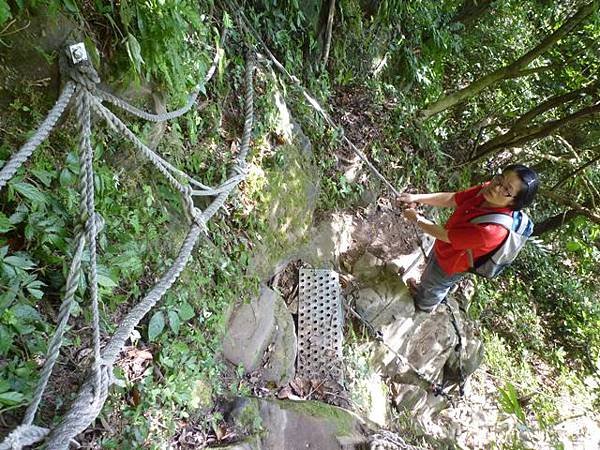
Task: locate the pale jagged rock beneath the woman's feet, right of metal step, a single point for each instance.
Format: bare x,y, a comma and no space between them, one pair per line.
426,343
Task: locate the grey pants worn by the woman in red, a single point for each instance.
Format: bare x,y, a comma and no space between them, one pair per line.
435,285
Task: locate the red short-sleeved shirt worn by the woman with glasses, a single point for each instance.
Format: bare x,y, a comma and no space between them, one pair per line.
463,235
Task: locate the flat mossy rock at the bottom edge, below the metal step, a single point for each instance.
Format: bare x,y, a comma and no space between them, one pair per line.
297,425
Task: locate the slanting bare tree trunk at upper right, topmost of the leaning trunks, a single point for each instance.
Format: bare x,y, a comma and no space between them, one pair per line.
511,70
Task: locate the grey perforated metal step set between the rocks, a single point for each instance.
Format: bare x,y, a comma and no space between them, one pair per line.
320,323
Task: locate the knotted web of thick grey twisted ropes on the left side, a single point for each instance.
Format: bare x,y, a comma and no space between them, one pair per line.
94,390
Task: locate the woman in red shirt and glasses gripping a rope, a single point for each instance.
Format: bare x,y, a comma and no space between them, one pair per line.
448,263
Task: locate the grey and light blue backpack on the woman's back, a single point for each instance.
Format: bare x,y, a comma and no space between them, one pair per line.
520,228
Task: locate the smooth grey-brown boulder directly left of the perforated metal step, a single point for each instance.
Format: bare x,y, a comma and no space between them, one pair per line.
260,336
